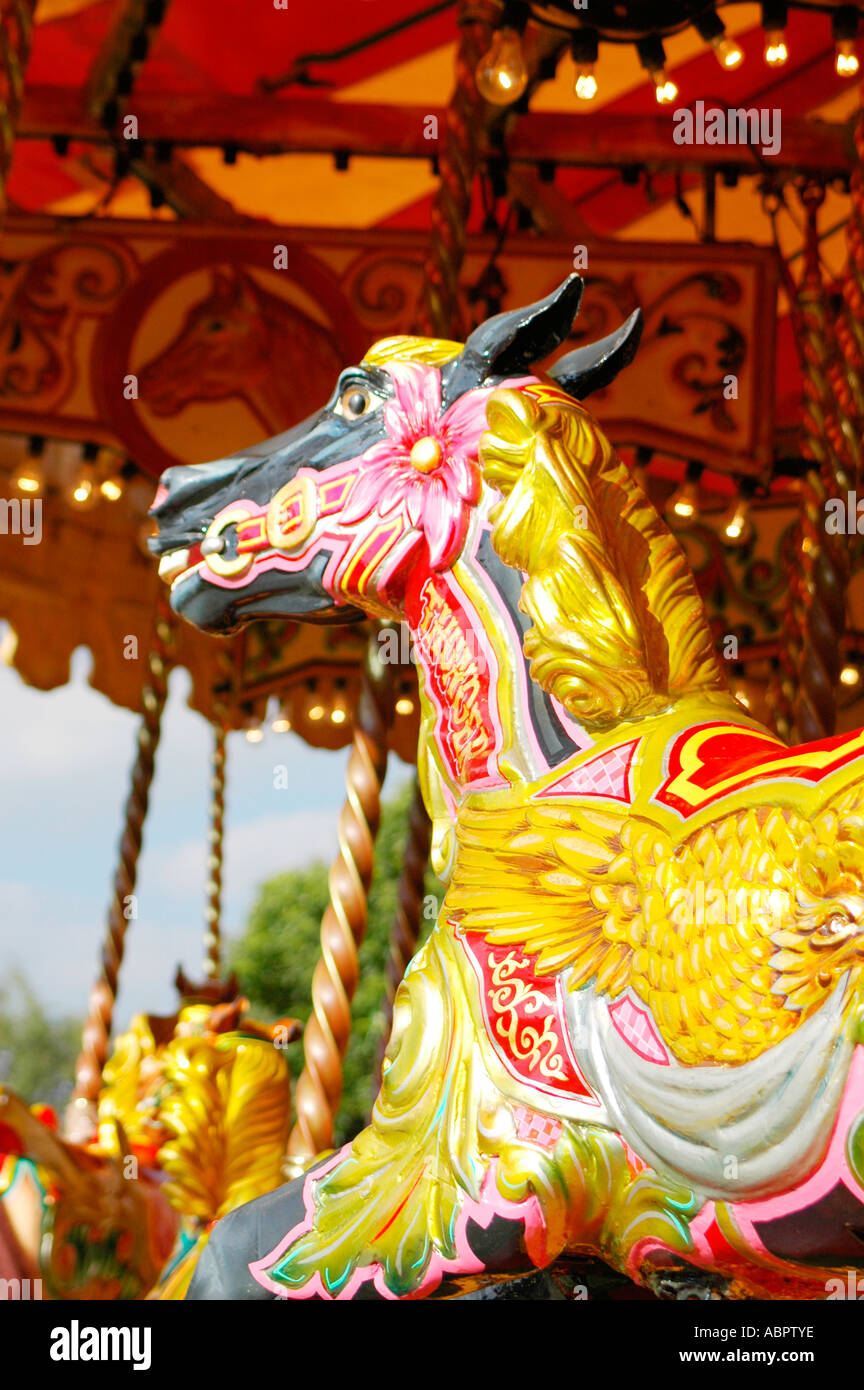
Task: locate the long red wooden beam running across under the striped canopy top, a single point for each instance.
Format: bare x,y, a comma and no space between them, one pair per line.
267,126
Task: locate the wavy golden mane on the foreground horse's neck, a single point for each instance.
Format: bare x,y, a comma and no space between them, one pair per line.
619,629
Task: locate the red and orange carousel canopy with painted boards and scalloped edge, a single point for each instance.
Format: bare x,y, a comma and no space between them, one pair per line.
210,212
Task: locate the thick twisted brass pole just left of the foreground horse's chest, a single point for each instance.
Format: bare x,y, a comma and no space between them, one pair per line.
344,924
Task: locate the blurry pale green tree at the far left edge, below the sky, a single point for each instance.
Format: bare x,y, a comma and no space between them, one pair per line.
37,1052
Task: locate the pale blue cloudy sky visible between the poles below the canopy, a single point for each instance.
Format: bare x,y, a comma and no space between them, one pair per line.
66,758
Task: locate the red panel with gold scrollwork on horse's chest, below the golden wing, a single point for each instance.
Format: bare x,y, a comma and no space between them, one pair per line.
524,1021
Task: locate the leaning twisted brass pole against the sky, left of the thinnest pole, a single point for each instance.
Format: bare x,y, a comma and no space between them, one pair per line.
81,1113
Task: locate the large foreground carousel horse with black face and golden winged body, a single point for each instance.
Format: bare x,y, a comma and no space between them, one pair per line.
635,1031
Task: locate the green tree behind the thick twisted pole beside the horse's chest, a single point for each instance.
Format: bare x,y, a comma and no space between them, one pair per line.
277,954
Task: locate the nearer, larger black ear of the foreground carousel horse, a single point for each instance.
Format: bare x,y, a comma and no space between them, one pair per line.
510,344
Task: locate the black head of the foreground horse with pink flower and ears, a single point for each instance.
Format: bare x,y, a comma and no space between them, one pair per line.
330,518
